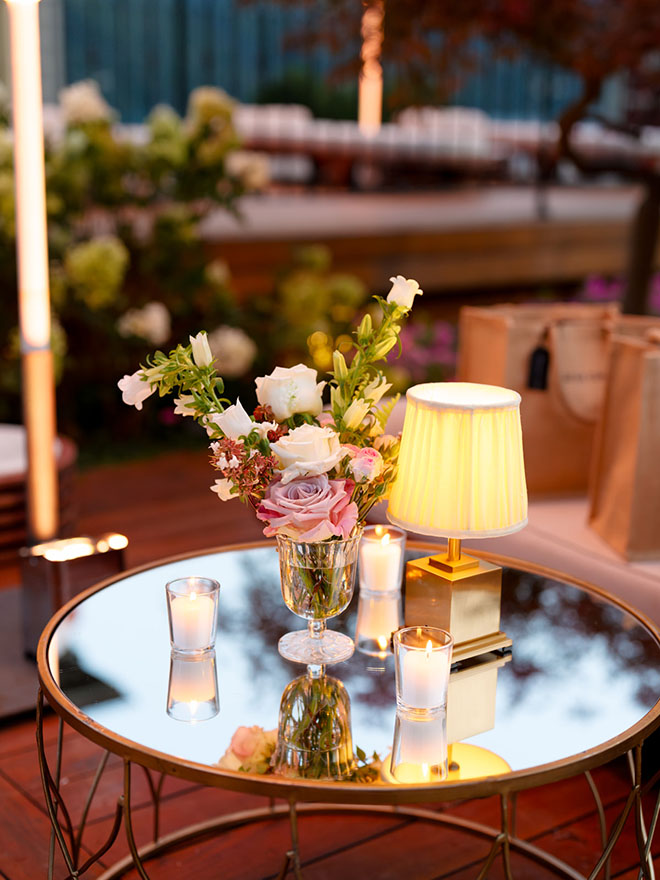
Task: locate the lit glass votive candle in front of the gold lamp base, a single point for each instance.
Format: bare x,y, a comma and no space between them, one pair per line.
422,662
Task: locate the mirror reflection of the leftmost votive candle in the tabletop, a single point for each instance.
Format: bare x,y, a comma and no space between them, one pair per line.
192,693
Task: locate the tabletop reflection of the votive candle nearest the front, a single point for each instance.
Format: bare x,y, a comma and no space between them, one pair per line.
419,750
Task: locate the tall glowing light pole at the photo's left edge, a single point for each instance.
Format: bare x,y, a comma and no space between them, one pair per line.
32,260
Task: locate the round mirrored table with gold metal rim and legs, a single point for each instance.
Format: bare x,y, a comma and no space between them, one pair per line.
580,686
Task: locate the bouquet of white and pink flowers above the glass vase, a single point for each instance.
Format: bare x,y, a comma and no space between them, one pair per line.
310,474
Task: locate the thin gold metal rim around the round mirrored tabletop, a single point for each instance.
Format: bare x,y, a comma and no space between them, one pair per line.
343,792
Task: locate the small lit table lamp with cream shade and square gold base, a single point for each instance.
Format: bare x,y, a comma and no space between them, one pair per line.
461,475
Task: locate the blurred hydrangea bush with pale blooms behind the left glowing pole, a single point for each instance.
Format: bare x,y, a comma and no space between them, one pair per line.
128,264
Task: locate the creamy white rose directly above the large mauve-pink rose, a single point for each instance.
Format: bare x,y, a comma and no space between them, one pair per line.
307,451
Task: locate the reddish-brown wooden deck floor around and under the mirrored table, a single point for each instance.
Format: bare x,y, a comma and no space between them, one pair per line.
164,507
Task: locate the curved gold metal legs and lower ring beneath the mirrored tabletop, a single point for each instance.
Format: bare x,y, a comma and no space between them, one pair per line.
504,839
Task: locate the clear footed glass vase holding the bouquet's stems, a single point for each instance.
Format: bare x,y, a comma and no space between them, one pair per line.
317,579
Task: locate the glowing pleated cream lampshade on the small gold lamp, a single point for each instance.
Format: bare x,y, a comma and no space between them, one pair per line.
461,469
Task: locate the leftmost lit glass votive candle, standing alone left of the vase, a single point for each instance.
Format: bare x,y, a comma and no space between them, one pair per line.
192,607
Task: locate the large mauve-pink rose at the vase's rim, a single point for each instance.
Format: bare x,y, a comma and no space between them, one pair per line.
309,508
